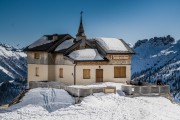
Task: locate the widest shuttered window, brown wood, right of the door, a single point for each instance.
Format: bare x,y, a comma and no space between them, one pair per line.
120,72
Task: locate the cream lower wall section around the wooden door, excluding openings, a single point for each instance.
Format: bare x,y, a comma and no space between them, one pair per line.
108,74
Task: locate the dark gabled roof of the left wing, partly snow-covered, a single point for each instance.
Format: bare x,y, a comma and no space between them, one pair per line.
47,43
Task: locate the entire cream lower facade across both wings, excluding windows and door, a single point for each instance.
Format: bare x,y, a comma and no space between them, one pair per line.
51,73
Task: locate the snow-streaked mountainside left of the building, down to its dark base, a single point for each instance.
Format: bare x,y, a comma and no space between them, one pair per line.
13,72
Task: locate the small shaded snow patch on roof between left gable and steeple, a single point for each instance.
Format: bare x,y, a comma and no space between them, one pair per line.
64,45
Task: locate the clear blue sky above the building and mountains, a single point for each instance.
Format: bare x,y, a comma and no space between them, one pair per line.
24,21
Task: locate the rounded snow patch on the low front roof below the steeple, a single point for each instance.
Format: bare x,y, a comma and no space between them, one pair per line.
85,54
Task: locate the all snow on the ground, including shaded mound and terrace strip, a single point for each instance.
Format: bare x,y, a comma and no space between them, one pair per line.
36,104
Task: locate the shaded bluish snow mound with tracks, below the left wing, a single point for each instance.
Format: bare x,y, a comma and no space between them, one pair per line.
49,98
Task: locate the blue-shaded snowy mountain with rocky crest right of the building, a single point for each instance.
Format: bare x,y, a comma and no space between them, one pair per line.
158,57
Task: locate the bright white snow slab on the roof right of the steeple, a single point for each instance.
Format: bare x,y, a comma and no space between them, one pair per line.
113,44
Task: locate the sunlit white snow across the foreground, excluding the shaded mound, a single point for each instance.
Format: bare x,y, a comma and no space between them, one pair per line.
104,107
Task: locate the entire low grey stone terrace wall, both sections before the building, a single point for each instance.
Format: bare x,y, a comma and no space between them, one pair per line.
86,91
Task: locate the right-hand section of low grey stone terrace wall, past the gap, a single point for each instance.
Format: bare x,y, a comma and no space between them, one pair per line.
145,90
